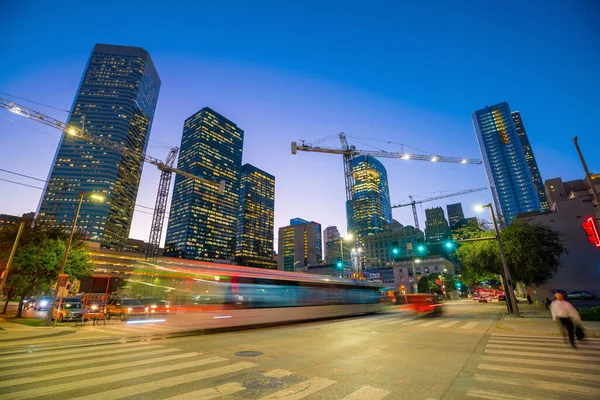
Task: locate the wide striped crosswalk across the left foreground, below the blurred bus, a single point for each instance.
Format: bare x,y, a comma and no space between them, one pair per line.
152,371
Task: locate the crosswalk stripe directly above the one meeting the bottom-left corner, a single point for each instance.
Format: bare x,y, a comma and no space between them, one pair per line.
92,370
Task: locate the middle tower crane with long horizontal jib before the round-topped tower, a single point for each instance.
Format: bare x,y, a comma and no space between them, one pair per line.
349,152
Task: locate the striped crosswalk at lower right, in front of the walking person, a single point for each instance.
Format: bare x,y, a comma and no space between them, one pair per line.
535,368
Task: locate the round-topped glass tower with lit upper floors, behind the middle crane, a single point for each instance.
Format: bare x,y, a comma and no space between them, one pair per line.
370,208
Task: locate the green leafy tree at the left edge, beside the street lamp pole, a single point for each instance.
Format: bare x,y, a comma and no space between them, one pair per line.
37,260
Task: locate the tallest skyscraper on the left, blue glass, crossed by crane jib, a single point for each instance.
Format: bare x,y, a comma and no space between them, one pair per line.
117,98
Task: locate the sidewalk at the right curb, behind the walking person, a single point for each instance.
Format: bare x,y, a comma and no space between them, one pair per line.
536,320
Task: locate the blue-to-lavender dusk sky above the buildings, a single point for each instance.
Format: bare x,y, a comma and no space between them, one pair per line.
382,72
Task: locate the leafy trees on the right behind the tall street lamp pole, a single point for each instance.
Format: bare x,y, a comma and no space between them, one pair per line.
532,251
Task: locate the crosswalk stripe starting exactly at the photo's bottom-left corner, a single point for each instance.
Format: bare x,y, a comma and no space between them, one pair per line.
119,377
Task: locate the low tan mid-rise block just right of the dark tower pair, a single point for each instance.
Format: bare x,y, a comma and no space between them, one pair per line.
297,246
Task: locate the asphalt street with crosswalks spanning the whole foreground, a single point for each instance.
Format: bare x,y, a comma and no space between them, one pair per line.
385,356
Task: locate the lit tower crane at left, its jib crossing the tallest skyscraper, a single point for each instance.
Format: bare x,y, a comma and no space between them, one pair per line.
166,167
